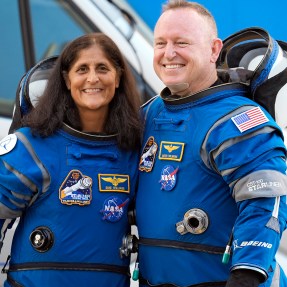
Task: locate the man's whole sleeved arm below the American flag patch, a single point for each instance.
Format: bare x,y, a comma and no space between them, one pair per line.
258,183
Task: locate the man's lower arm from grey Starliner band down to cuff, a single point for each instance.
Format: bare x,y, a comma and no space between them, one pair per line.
261,201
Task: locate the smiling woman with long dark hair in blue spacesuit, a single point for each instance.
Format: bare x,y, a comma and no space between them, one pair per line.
70,172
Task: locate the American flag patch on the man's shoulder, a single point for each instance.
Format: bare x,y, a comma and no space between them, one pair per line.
249,119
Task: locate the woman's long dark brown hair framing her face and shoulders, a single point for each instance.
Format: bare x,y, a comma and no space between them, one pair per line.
56,105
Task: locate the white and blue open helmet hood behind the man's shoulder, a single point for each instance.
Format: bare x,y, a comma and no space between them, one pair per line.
265,59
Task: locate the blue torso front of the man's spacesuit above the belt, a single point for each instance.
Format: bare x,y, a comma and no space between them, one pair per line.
177,178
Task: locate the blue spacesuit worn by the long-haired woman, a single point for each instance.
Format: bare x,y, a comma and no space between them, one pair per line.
90,183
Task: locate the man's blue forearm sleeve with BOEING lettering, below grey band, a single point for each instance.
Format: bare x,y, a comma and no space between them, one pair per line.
257,233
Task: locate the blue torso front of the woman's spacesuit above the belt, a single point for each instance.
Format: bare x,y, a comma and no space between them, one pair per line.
82,199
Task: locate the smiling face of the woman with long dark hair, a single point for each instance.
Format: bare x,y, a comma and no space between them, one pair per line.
92,80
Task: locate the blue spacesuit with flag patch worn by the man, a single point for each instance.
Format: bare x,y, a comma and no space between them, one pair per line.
212,184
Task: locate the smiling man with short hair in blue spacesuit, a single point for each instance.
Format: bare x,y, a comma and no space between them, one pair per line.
211,200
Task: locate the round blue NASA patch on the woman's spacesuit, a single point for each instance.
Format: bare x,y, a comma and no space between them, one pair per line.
113,208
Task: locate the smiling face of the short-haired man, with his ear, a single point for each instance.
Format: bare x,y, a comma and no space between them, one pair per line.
185,51
